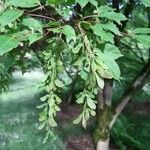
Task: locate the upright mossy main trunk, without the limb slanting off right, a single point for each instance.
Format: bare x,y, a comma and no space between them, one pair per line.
104,116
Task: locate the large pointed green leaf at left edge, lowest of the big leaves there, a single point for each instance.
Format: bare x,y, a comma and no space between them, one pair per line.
7,44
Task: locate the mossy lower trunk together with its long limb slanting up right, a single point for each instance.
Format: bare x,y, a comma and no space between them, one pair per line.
105,117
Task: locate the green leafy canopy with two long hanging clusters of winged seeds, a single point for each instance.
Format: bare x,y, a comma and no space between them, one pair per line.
83,41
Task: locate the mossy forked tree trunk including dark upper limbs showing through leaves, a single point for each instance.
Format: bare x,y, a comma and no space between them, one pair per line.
105,117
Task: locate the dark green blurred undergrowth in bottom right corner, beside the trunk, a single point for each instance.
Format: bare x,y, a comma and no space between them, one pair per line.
126,137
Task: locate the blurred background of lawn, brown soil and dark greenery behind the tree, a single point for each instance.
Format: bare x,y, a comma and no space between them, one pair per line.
19,116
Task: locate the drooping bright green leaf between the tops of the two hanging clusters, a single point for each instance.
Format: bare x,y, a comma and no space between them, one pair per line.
69,32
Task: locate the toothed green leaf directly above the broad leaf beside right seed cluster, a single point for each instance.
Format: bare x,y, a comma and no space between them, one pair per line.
106,36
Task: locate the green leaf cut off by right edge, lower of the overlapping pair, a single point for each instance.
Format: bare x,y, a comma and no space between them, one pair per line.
143,39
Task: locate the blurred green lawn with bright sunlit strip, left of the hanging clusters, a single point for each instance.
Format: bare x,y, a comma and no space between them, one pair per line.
19,118
